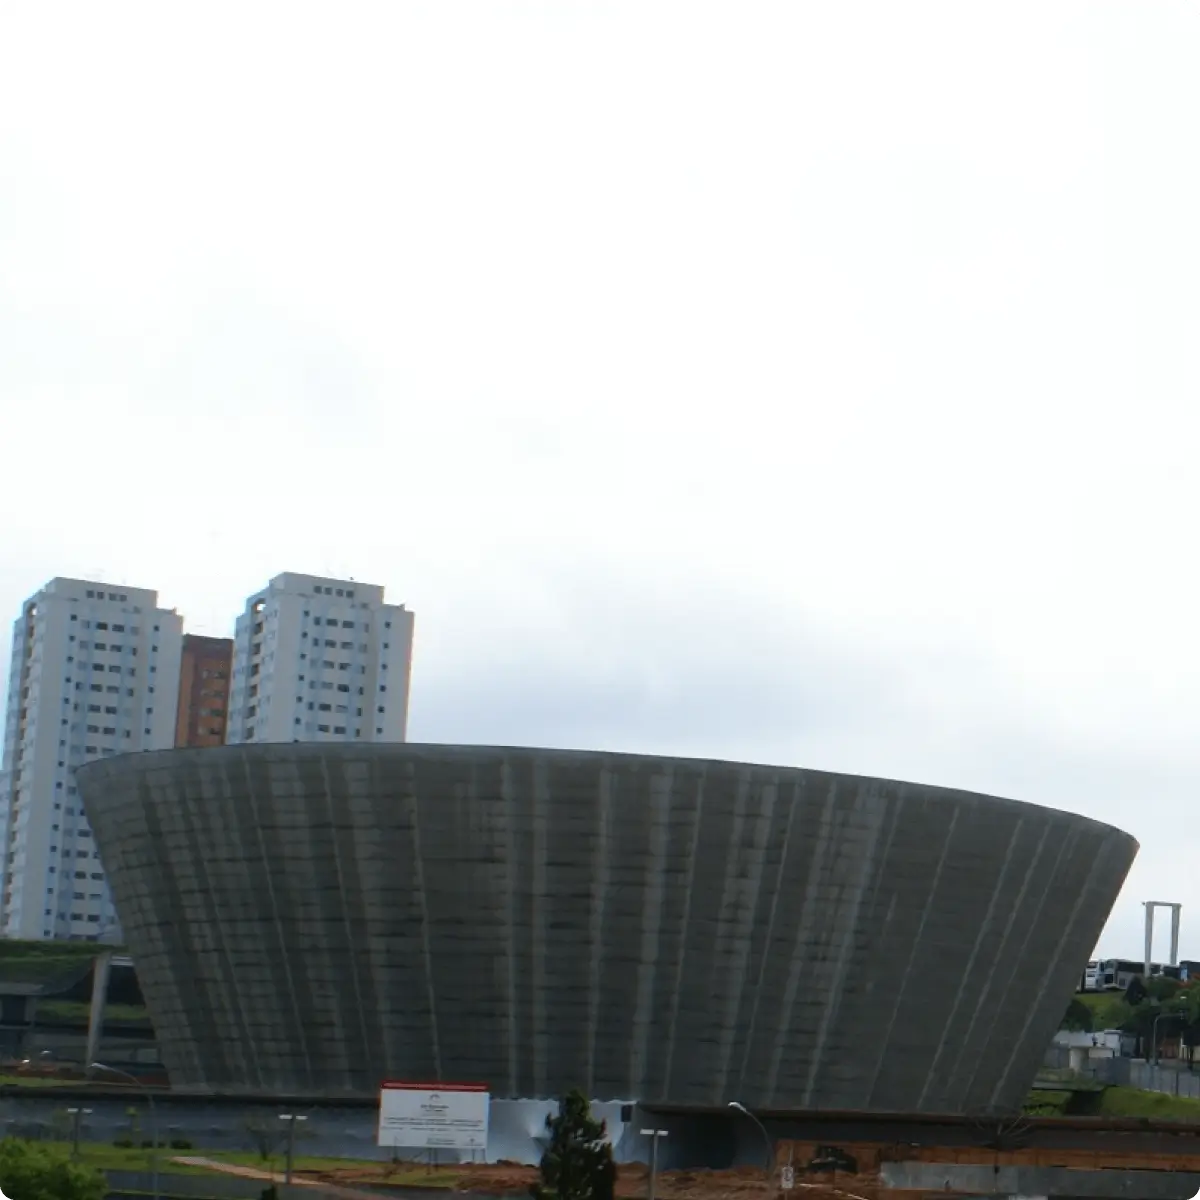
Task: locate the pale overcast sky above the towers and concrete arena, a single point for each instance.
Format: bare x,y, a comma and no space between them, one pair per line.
805,383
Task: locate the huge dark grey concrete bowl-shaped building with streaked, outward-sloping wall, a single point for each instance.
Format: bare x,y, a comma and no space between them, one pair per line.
310,920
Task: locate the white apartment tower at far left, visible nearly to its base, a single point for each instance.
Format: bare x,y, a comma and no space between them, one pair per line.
95,673
